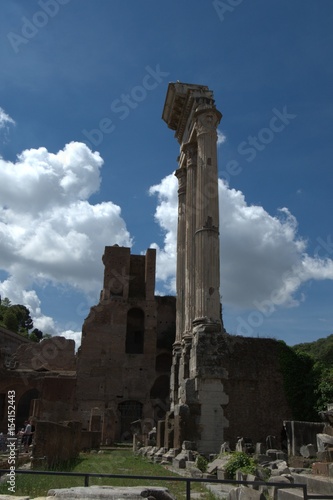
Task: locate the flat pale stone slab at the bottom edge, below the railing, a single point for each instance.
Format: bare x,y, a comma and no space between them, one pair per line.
109,492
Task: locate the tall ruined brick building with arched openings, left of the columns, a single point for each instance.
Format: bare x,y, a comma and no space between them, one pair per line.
123,370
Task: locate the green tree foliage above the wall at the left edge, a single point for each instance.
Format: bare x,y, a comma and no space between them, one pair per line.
16,318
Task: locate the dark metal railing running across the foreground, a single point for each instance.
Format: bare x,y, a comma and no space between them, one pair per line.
188,480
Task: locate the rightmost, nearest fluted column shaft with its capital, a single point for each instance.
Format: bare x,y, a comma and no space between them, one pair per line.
207,258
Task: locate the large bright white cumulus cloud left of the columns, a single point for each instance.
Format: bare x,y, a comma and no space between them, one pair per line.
49,231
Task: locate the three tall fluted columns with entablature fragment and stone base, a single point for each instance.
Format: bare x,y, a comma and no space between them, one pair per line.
197,393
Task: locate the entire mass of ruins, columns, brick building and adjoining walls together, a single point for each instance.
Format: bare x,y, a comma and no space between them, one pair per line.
161,362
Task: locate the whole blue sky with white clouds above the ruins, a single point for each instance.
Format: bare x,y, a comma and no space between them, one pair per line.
86,160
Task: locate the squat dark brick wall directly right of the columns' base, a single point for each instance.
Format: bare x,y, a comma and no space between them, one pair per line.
257,403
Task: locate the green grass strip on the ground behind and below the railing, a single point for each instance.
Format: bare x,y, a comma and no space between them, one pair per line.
119,461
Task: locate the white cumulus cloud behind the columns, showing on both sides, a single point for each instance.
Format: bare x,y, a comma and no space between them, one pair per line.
262,256
